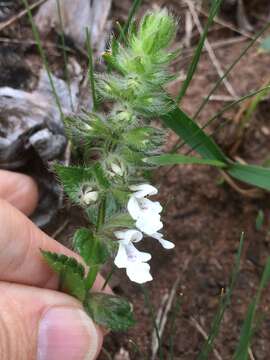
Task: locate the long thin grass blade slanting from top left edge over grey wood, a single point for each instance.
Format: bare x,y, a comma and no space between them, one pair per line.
43,56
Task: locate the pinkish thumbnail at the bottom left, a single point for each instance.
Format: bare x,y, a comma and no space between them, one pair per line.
67,333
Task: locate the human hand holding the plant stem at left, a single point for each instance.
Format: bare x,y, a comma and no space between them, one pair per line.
36,321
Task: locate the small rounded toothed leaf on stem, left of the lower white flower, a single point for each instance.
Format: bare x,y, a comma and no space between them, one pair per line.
91,249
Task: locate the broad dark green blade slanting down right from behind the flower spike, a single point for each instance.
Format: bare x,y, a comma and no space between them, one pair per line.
193,135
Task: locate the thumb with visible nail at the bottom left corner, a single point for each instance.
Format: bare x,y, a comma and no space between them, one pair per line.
45,325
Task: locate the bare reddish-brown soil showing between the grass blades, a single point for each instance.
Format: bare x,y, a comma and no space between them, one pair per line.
203,216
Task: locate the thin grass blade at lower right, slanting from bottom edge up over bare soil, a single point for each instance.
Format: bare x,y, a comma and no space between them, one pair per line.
223,304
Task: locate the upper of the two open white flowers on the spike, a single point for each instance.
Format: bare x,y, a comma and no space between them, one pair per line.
144,211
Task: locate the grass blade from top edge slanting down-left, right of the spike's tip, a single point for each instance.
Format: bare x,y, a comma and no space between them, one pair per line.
197,54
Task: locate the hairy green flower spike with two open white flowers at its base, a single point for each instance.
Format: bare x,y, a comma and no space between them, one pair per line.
116,144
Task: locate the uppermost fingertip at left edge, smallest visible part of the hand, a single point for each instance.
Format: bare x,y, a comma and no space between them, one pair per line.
19,190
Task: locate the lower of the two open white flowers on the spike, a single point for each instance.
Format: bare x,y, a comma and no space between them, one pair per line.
130,258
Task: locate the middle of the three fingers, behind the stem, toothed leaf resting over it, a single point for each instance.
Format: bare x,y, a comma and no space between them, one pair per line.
20,256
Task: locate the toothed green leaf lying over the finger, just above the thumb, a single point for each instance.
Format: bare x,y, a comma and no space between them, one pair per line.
71,273
